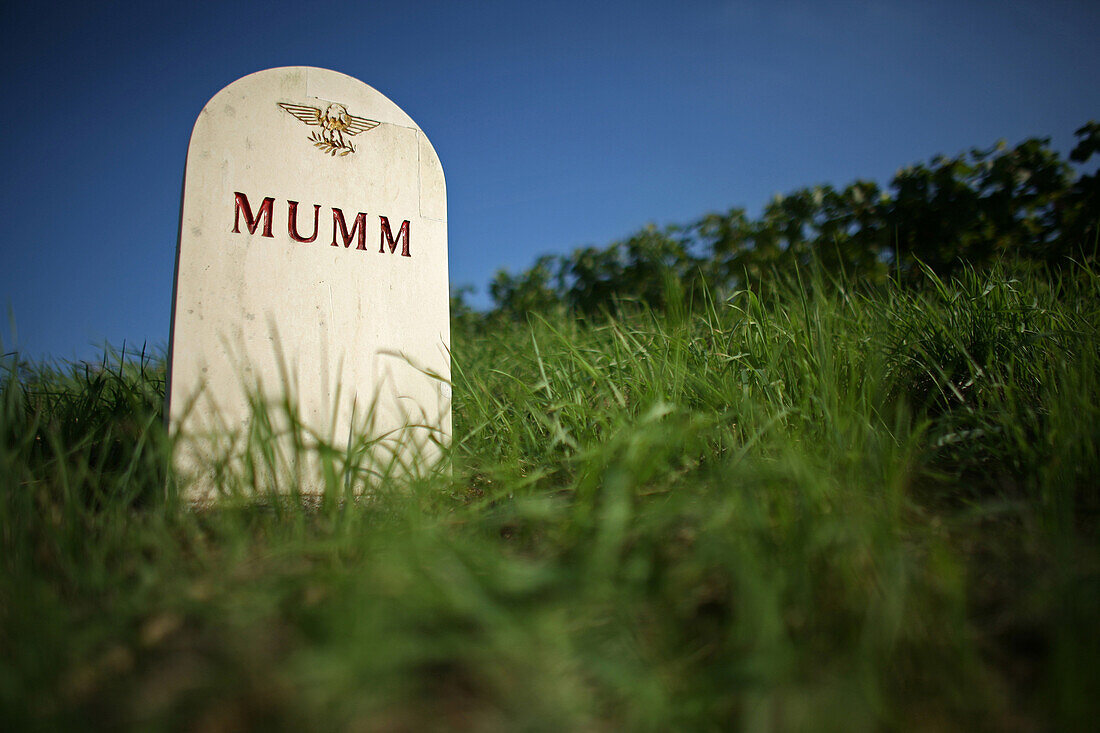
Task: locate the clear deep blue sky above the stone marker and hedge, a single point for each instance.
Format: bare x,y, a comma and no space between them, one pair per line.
559,124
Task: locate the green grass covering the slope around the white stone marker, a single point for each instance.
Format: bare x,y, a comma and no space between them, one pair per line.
819,509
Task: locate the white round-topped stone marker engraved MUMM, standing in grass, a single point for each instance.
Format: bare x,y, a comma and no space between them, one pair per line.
312,262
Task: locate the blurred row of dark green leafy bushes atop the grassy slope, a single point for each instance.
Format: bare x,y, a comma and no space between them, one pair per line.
1024,205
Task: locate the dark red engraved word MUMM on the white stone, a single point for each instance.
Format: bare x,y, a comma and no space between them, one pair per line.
262,222
